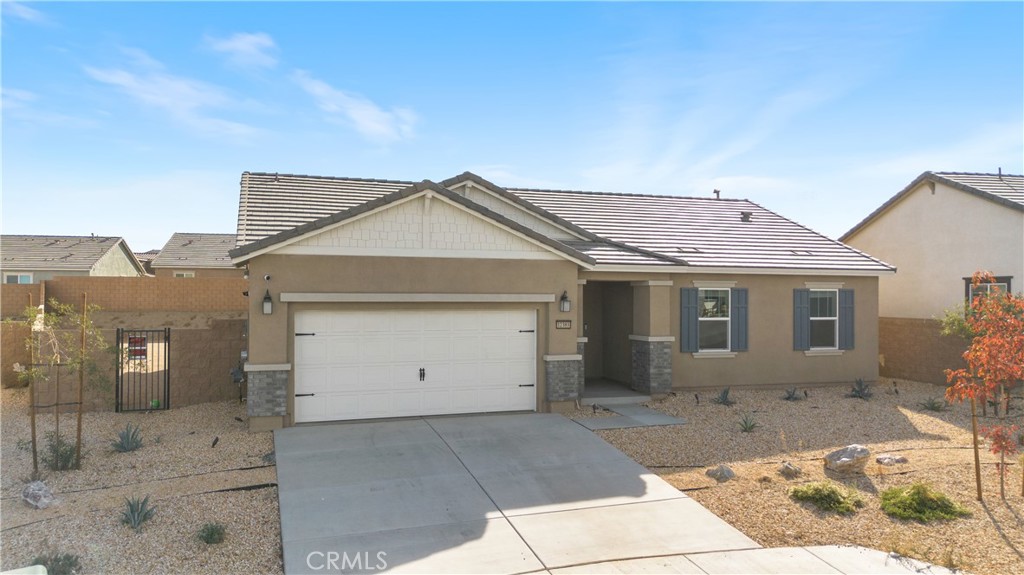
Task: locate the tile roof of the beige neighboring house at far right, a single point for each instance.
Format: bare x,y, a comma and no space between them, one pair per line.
1005,190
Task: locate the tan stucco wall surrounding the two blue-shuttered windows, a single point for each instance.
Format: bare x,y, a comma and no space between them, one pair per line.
772,360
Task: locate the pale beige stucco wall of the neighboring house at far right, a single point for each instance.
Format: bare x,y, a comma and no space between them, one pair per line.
935,240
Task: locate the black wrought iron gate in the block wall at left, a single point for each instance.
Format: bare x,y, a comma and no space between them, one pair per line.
144,375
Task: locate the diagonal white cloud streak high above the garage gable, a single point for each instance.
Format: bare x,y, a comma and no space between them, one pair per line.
373,122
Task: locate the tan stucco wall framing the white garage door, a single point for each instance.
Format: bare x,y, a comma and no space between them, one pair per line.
271,340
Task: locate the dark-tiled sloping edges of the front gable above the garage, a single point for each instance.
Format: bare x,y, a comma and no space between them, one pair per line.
396,197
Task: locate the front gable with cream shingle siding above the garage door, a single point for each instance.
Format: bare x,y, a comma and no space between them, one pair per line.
423,220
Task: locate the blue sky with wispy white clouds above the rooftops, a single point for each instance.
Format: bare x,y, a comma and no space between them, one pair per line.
139,119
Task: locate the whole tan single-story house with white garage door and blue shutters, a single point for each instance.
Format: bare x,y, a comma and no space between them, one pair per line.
378,299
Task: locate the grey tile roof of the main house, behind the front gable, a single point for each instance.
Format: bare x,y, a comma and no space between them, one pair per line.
616,229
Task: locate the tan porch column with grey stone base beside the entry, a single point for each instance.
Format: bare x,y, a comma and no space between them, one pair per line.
651,342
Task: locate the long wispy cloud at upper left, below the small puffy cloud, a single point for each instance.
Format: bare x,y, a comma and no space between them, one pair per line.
187,100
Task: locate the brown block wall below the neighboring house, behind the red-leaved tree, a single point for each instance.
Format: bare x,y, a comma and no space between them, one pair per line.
916,349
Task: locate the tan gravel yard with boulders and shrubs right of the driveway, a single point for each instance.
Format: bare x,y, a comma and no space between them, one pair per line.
937,446
